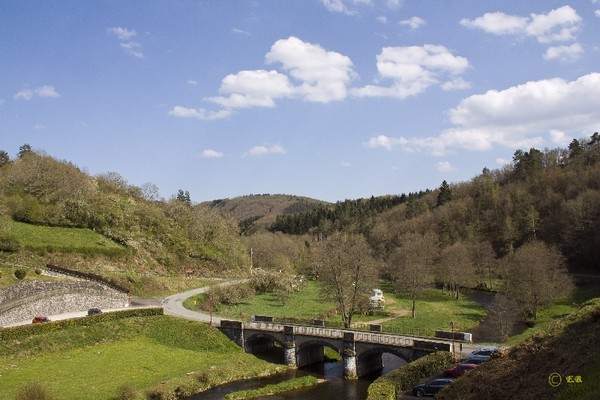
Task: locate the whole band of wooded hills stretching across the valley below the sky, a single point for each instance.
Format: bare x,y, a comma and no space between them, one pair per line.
549,197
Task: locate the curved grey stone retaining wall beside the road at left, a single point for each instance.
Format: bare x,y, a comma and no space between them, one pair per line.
24,301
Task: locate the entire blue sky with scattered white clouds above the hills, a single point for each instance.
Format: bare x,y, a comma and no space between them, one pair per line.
331,99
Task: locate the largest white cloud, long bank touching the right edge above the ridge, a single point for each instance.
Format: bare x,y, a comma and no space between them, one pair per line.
533,114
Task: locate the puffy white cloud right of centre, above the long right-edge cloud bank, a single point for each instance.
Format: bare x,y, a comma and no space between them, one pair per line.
413,69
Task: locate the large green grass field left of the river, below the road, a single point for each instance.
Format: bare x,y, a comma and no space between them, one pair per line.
157,353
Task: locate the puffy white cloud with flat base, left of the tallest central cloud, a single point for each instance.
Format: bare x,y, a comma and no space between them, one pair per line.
258,88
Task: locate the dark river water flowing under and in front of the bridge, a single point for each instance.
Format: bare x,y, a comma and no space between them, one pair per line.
335,388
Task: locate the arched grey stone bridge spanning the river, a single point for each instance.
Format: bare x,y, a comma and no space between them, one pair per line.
304,345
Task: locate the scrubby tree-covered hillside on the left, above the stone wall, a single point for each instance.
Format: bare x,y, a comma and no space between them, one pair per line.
166,236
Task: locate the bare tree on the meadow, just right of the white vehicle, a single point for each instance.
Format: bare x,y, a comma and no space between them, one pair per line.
412,263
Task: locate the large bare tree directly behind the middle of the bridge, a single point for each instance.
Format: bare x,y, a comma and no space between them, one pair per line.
348,272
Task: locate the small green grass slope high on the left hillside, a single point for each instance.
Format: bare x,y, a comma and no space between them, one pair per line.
68,240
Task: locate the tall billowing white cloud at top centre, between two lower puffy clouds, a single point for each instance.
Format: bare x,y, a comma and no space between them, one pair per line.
324,75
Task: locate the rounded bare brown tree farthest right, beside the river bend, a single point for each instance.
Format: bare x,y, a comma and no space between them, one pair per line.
537,275
